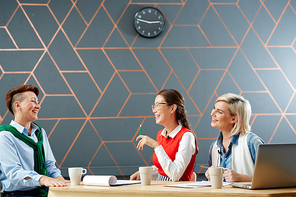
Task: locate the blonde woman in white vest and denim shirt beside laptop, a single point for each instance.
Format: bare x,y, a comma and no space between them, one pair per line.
236,147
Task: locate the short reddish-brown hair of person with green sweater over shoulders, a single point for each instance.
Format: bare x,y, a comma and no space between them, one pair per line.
11,94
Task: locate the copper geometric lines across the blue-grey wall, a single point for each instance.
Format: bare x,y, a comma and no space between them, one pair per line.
31,74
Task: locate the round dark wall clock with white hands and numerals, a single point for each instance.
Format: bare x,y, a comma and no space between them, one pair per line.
149,22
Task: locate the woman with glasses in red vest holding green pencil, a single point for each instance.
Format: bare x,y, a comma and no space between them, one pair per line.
175,147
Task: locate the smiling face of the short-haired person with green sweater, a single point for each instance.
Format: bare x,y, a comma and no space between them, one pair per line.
29,107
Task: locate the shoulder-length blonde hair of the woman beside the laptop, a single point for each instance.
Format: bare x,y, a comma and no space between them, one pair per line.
241,107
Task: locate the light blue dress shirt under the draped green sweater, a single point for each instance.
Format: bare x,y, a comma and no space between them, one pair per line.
17,160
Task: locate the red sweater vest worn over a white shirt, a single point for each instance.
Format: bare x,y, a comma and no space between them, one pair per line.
171,147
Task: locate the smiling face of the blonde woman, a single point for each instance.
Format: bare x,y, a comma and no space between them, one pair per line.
221,117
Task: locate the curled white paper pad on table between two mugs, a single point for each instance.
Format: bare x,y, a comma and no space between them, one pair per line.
102,180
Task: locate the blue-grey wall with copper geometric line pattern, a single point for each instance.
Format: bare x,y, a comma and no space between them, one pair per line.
98,78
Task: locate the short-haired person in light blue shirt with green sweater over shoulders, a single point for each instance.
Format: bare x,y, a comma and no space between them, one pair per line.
27,162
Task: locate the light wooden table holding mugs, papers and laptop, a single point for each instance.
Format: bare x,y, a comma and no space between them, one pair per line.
157,188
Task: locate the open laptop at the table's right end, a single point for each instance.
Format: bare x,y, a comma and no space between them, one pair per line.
275,167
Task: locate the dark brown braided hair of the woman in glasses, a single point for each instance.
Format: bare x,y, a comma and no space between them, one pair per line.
174,97
